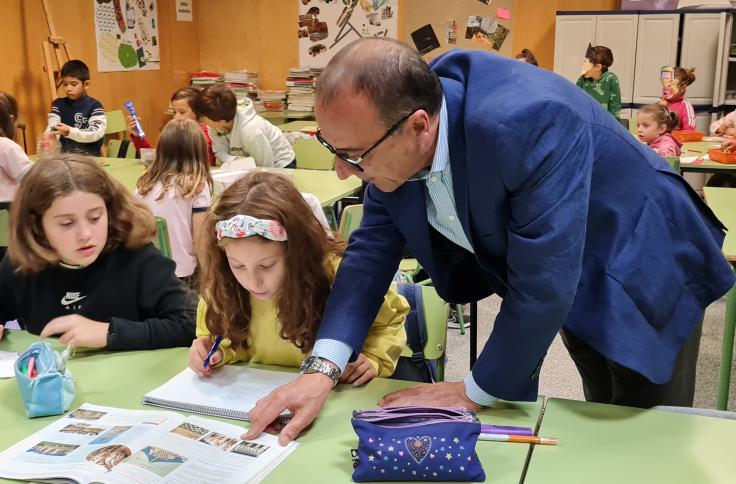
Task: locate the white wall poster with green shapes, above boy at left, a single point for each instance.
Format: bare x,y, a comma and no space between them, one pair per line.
127,35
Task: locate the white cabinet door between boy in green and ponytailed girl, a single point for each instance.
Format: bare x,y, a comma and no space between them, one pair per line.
656,47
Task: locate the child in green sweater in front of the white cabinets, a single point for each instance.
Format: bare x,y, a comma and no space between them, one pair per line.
598,81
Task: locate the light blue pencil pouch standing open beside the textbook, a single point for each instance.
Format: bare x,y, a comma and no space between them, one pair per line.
51,391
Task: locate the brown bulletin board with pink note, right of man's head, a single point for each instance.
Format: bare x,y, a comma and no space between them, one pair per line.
490,33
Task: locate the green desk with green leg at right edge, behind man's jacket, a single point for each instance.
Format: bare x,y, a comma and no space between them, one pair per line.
723,203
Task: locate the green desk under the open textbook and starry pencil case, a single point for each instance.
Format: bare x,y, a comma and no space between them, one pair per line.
120,379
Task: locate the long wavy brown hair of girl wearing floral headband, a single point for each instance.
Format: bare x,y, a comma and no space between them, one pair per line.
309,258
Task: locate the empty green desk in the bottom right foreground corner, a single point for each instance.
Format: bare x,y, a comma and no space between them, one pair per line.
605,444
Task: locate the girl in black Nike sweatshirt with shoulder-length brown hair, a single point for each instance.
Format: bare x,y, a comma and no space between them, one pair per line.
80,263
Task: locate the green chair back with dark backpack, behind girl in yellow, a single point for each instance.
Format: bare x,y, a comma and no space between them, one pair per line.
435,315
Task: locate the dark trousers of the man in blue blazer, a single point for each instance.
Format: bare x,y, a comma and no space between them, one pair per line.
606,381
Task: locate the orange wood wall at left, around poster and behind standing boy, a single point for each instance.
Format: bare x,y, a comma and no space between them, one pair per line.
22,74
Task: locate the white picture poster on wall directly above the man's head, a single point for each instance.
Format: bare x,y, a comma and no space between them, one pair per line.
325,26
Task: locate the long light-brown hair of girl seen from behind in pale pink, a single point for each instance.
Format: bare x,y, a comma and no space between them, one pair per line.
182,161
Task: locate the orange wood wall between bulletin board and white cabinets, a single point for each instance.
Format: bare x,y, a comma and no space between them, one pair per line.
534,24
